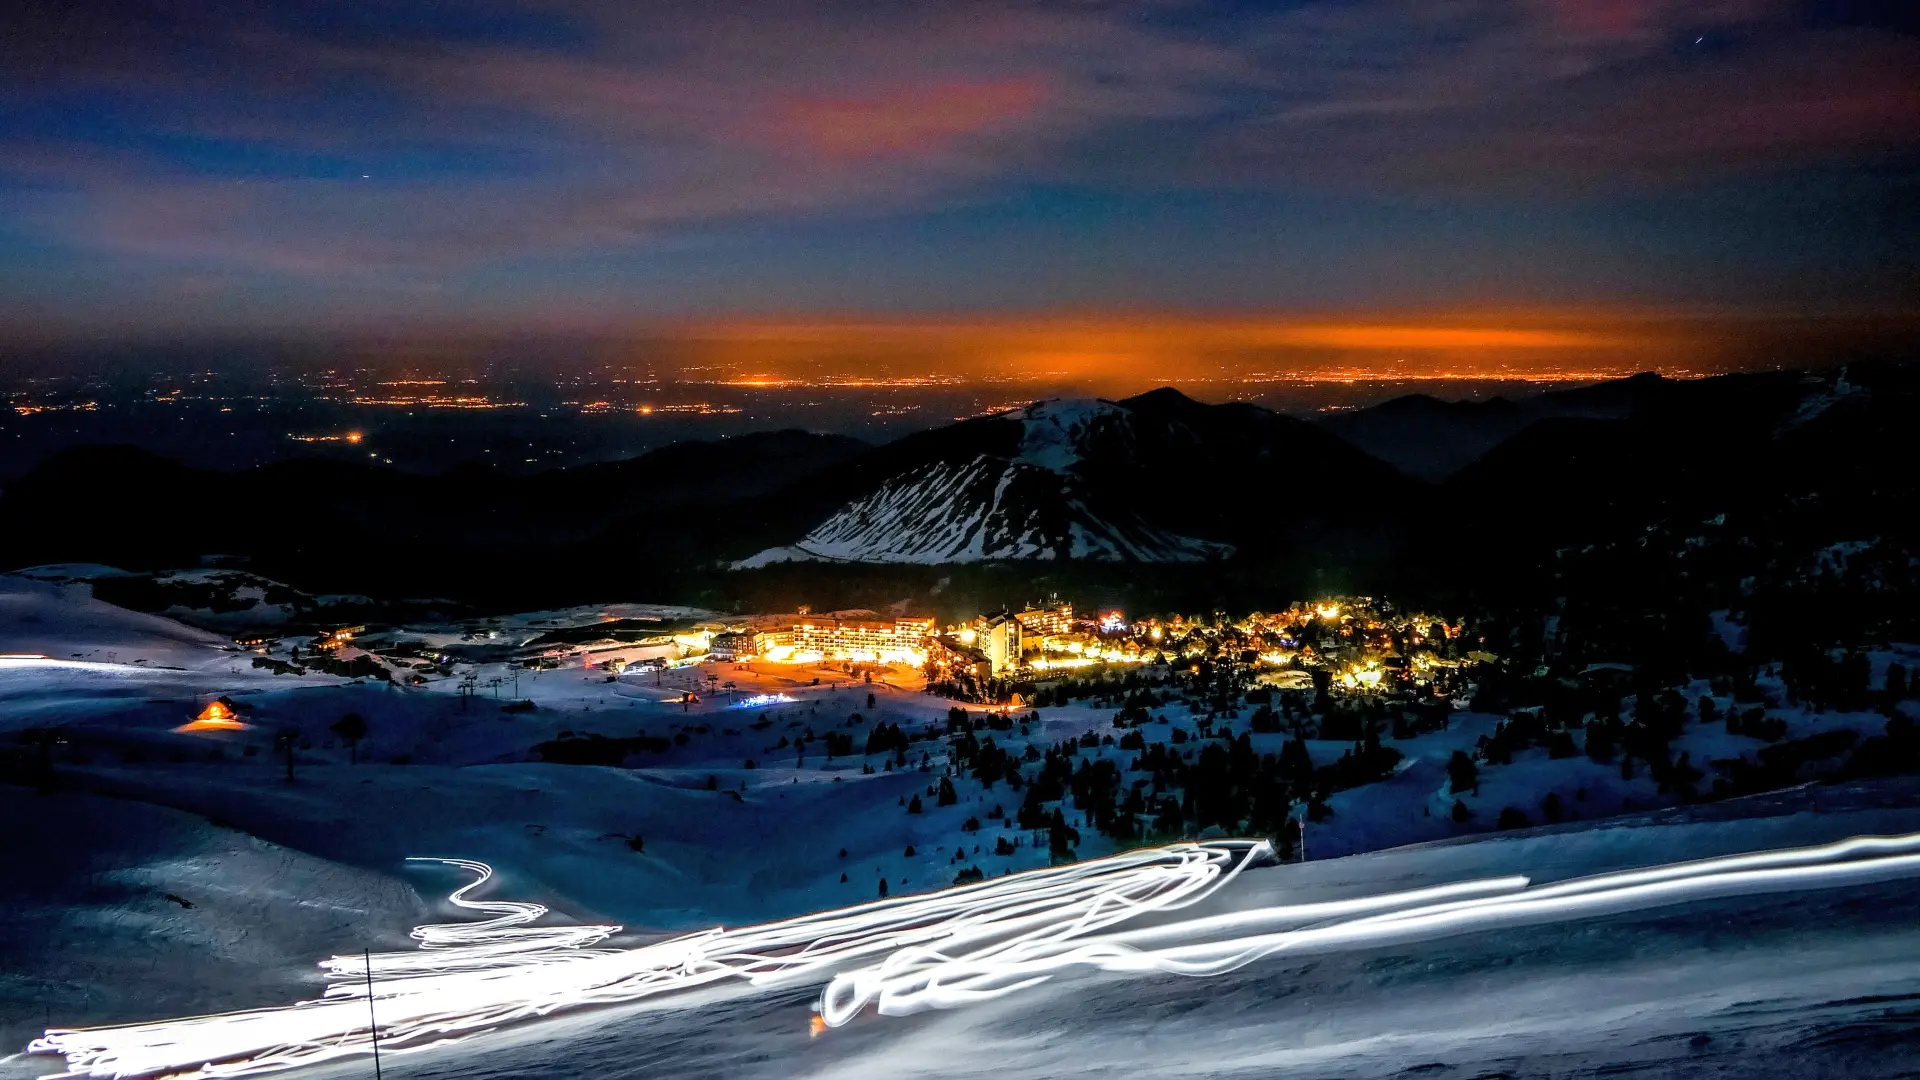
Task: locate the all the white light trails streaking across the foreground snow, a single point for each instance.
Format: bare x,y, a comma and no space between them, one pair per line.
909,954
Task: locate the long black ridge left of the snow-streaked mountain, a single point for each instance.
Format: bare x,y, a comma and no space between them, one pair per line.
348,528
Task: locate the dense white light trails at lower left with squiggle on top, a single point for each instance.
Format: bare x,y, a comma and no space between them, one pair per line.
485,975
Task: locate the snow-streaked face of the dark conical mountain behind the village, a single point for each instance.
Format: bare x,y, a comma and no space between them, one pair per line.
1030,506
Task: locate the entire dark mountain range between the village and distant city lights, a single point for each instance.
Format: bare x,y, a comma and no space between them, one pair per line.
1159,489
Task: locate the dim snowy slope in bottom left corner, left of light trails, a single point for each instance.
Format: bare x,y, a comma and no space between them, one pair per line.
135,910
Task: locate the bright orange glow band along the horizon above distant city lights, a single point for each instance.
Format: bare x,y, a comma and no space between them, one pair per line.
1138,351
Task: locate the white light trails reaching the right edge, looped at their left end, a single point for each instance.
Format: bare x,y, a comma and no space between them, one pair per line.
919,979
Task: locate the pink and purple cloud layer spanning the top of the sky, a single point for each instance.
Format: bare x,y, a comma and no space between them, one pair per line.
391,141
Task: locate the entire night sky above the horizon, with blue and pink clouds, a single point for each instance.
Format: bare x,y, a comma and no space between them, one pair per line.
564,166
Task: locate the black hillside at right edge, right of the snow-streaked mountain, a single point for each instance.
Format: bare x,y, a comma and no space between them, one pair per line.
1819,456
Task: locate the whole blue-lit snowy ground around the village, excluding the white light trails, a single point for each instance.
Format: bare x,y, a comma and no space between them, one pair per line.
174,873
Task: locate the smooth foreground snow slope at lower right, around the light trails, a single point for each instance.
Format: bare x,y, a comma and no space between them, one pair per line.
1779,983
